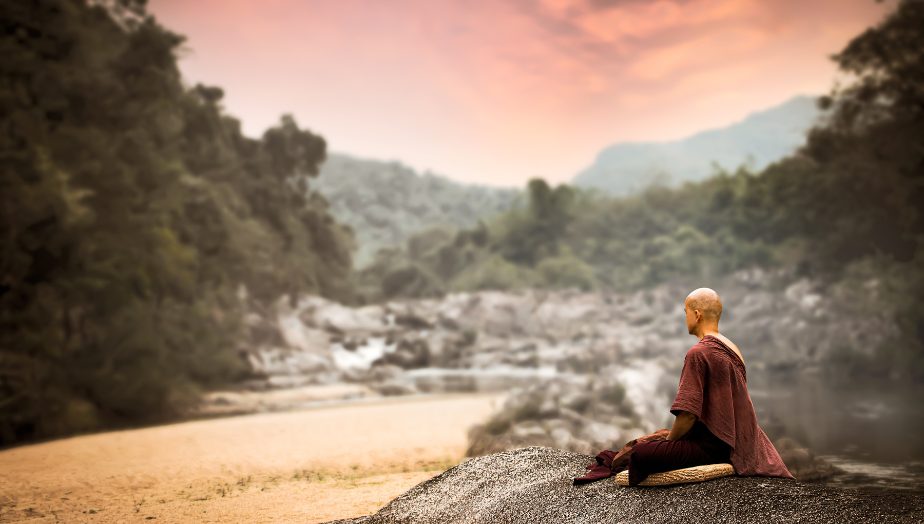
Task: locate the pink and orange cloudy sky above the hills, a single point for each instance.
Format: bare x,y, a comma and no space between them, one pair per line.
498,92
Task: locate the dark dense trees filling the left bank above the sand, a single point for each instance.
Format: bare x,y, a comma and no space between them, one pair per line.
139,224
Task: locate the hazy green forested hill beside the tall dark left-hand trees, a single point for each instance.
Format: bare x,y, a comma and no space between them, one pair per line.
387,202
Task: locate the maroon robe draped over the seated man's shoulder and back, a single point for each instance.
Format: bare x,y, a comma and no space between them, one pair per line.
713,386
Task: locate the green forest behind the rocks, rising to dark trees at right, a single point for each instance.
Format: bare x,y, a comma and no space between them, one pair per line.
845,209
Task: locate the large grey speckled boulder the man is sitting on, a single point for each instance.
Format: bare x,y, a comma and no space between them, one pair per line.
533,485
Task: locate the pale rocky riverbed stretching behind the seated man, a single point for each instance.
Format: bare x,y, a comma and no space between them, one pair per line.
584,371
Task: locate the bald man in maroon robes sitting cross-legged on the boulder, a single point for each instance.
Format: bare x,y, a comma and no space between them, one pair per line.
715,420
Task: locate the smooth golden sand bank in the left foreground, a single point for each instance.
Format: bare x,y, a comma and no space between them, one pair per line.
309,466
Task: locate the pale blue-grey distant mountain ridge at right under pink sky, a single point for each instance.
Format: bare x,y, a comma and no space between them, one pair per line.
757,141
